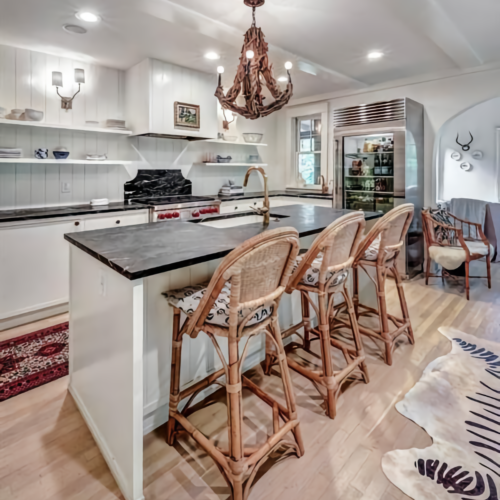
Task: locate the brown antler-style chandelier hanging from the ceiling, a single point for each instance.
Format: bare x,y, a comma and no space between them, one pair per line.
254,71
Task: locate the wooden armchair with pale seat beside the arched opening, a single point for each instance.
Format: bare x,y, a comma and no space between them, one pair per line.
451,242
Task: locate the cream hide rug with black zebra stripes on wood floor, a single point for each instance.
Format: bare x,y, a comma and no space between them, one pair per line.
457,401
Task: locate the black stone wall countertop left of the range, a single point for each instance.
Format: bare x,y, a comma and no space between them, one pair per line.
25,214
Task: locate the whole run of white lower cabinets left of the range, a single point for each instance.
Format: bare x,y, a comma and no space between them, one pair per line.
34,263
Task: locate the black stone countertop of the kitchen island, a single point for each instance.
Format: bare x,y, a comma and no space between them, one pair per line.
148,249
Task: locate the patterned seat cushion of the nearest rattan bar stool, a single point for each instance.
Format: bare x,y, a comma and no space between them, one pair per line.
187,299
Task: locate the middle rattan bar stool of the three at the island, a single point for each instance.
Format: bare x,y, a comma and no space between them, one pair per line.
323,271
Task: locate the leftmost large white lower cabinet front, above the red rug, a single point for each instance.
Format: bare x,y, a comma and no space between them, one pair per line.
34,266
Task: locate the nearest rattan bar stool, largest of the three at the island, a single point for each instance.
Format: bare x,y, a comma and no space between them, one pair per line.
241,301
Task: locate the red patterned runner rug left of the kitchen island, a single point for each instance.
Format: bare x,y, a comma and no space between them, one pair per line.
33,360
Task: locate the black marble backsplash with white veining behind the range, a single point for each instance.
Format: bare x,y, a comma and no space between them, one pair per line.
157,183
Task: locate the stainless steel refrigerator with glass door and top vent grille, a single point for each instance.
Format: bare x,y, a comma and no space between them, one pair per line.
379,164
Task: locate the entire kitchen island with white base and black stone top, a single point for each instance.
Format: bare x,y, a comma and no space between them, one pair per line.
120,324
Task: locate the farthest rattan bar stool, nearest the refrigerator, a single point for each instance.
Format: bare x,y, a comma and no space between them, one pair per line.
380,249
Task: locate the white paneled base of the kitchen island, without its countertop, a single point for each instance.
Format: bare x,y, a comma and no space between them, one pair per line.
120,356
